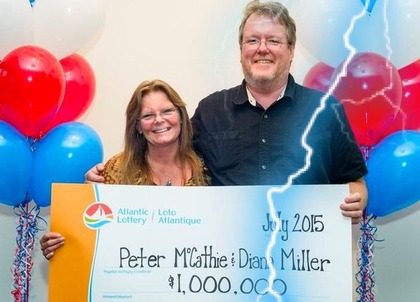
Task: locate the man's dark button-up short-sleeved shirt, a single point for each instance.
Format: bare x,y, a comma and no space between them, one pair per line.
243,144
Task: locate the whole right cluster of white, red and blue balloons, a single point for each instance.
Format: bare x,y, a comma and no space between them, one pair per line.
379,88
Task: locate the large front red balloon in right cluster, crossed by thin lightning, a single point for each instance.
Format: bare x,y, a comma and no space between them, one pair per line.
370,92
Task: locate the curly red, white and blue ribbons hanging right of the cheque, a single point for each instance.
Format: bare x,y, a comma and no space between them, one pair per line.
366,273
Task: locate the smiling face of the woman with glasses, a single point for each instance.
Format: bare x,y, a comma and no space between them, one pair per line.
160,121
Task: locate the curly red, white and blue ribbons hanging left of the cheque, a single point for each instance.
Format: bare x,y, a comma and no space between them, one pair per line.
27,229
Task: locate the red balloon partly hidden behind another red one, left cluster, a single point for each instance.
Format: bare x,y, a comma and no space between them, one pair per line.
79,92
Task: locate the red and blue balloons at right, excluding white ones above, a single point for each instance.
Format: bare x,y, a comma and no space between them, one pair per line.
382,105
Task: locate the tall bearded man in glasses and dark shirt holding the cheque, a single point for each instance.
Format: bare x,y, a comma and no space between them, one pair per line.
260,132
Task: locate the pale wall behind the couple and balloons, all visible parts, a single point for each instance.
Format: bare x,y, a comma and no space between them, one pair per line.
191,44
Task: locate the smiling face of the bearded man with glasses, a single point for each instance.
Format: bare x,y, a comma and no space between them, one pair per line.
265,54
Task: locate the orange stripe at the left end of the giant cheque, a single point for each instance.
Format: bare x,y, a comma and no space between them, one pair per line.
69,270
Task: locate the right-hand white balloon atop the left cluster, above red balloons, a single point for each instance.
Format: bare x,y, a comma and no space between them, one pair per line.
65,26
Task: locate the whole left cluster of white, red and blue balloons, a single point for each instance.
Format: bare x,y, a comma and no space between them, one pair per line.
44,88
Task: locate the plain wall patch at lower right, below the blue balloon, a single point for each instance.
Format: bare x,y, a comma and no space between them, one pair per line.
396,257
